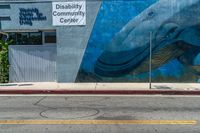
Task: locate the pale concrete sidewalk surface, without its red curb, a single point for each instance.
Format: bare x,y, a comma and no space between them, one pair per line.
99,86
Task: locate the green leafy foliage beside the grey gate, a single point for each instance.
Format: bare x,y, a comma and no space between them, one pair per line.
4,62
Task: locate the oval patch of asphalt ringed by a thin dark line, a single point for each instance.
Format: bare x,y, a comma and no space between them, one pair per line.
69,113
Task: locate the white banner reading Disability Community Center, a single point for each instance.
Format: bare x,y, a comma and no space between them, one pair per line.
69,13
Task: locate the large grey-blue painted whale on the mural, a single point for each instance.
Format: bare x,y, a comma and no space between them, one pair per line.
175,25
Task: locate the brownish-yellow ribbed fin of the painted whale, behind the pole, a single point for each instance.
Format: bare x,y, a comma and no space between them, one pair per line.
159,58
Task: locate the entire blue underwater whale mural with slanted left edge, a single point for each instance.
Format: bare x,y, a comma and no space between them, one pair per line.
118,49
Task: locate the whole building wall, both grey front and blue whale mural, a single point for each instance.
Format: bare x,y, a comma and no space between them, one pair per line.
113,44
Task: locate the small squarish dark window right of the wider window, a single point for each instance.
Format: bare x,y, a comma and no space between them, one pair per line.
50,37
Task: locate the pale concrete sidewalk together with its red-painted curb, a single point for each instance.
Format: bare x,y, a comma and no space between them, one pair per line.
101,88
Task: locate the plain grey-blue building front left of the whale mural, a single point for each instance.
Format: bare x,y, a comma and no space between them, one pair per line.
41,51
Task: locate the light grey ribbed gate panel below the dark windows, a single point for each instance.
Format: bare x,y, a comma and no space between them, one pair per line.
30,63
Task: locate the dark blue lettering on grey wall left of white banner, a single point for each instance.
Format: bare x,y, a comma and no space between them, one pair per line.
27,16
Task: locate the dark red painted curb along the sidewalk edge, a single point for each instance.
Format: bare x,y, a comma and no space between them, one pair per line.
101,92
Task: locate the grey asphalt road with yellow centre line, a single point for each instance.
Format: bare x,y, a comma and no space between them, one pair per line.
102,114
